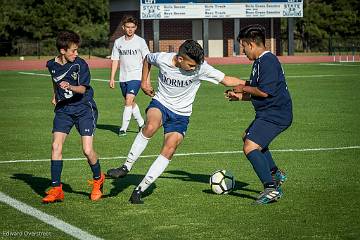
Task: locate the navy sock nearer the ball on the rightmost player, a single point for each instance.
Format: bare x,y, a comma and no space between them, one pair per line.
261,167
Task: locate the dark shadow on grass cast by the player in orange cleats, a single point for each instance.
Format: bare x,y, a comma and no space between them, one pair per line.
40,184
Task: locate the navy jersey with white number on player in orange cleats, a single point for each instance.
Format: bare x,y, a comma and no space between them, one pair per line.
76,73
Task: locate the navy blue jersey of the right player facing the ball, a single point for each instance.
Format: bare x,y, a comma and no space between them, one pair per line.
268,76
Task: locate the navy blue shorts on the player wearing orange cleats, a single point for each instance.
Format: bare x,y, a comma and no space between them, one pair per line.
83,116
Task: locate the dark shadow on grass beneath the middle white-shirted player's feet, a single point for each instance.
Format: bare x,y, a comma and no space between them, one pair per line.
130,180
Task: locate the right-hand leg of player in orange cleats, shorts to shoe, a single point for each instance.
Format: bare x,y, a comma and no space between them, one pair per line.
86,125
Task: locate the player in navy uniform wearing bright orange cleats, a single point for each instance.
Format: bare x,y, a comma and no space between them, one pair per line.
74,105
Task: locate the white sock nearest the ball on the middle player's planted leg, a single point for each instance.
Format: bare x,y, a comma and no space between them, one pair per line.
156,169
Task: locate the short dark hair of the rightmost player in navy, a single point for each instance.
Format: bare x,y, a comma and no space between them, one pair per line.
252,33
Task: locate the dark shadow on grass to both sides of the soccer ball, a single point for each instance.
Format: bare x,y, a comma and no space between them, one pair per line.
186,176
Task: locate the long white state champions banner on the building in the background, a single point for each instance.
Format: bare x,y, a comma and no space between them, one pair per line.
185,9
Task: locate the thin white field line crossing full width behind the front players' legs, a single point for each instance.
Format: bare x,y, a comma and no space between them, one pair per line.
194,154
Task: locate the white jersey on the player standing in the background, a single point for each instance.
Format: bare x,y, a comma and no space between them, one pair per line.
131,54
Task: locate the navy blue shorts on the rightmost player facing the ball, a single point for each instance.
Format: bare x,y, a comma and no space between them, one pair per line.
263,132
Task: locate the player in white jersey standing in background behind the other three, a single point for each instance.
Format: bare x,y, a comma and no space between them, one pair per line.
130,50
